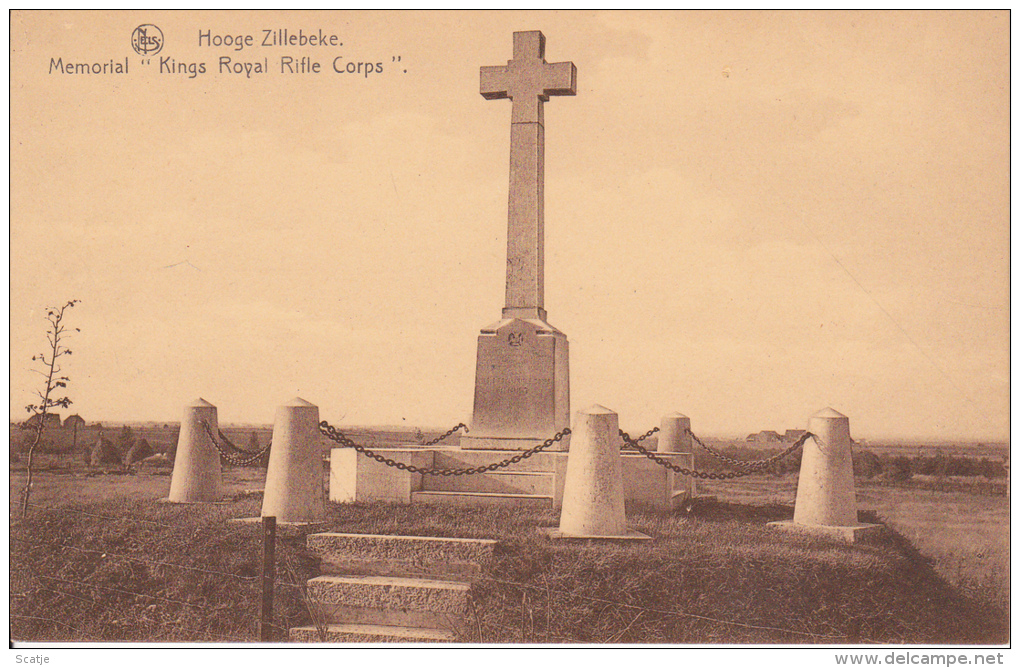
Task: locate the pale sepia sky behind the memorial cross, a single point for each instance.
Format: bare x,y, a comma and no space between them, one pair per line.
749,217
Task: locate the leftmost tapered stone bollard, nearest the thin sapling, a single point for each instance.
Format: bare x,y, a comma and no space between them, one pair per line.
197,477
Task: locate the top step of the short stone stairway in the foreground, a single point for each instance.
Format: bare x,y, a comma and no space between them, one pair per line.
407,556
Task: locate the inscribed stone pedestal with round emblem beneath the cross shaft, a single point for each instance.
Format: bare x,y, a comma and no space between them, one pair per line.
523,387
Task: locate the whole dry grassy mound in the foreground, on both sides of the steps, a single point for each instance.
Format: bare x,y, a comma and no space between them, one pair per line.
139,571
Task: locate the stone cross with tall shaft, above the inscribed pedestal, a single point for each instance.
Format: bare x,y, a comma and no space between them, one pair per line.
529,81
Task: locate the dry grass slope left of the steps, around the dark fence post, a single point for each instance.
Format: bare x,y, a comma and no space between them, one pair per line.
126,571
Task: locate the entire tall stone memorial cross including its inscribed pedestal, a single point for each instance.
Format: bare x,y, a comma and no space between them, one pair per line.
523,381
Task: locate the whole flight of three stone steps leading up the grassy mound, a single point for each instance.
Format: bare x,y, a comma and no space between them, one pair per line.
382,589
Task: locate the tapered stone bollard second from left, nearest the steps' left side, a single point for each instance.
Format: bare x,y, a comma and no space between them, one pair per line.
294,482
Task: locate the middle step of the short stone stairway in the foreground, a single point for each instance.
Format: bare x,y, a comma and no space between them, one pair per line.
407,594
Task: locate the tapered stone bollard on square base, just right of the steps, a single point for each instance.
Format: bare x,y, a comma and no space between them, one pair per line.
593,492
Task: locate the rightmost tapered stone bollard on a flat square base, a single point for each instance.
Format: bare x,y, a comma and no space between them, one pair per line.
827,497
